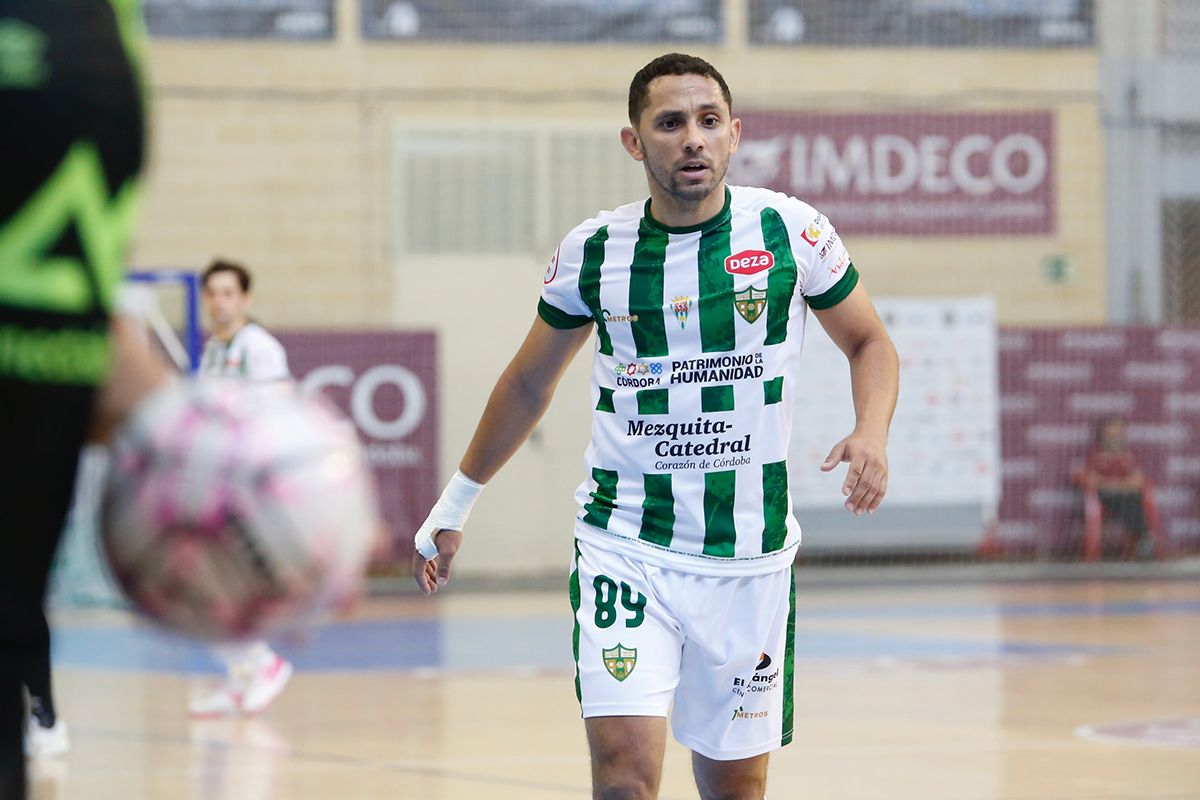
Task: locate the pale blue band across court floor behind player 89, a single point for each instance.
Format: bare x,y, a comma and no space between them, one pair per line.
490,645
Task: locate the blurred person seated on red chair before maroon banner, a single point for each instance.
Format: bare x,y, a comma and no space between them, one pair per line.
1113,472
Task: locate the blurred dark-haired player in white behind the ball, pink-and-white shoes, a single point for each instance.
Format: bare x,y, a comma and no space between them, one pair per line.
241,348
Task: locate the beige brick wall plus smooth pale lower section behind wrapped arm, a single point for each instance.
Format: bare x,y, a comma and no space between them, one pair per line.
281,155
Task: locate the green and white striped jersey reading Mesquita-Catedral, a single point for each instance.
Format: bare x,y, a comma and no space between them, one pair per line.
699,338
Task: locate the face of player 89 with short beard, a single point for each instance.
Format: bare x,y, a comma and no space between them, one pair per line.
687,136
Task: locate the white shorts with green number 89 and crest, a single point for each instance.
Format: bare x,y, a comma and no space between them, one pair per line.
721,649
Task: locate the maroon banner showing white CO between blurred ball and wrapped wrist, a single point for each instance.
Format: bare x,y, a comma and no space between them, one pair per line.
387,383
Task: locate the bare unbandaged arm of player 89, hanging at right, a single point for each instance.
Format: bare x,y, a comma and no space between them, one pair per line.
875,380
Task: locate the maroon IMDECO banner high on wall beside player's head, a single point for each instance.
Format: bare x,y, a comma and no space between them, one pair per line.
908,175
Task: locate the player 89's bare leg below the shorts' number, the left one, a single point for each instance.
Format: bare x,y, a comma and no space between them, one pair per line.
627,757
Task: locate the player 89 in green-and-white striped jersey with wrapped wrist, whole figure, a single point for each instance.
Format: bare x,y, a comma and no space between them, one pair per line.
682,584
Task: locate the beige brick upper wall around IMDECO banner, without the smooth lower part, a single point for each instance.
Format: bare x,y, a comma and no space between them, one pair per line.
281,155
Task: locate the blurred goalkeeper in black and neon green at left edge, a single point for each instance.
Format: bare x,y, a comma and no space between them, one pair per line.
71,131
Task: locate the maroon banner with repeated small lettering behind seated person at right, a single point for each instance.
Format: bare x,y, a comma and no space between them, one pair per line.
1057,386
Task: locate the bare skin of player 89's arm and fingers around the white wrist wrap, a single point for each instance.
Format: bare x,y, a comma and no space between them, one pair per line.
515,406
